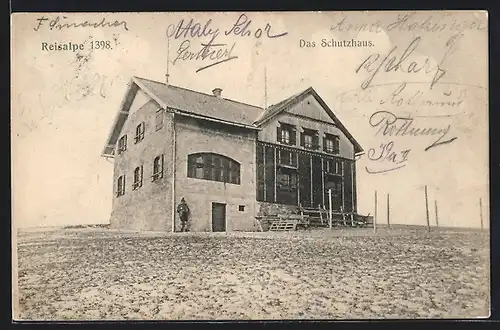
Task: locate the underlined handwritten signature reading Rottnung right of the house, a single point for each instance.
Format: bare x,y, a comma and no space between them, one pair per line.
389,124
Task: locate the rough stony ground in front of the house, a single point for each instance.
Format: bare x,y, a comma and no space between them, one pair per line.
96,273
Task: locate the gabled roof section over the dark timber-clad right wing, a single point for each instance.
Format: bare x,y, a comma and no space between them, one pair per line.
274,110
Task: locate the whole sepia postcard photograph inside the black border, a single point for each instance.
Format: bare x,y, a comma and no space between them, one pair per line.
250,165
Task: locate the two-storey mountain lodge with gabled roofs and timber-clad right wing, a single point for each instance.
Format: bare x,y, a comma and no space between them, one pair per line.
229,160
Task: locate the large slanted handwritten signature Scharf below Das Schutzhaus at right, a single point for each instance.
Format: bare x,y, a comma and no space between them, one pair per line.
376,63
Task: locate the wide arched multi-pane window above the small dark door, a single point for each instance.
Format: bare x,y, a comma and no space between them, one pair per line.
214,167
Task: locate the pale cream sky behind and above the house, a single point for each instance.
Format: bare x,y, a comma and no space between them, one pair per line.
64,102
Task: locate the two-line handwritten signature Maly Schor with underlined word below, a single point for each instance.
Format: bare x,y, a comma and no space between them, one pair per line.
215,52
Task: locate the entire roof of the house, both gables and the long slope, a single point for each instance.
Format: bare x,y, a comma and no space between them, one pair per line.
209,107
